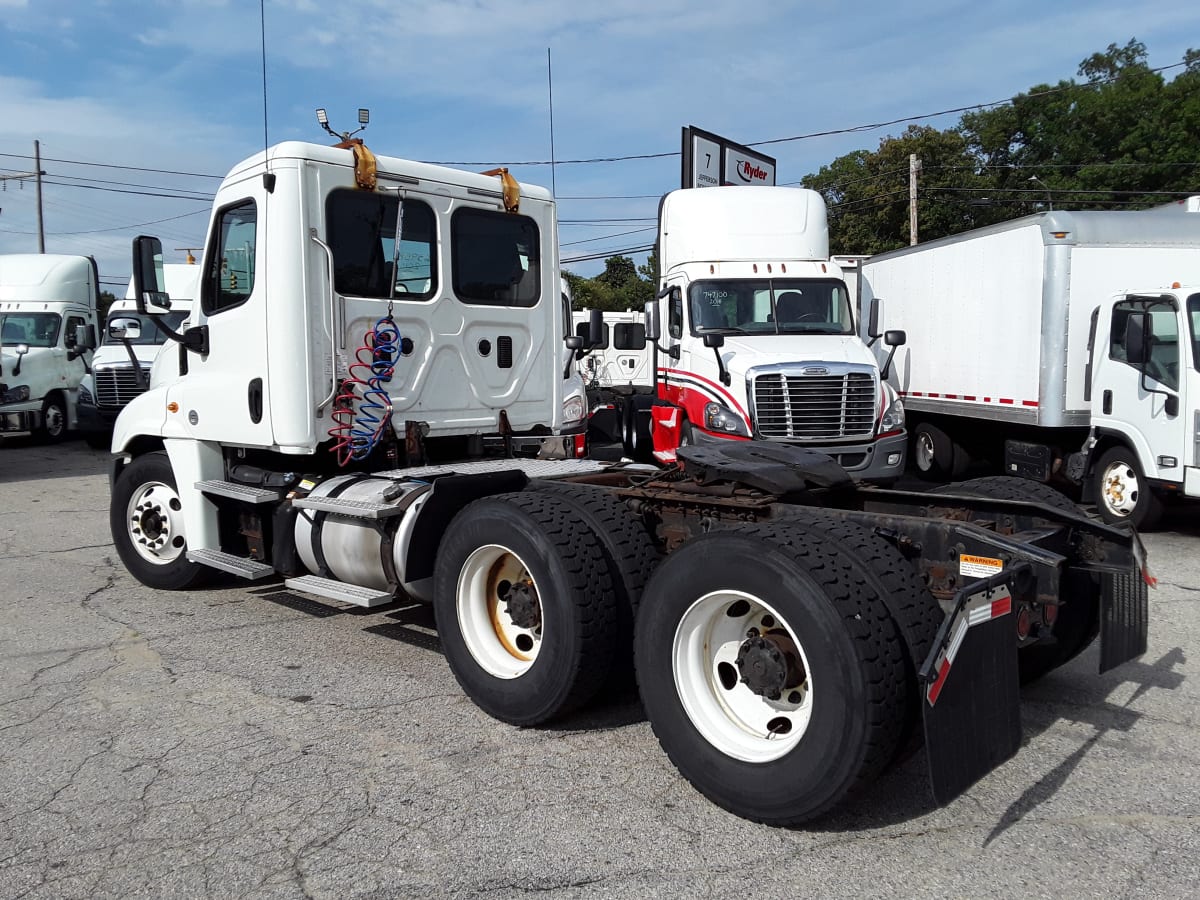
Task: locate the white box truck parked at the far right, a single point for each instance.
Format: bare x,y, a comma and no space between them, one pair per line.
1019,352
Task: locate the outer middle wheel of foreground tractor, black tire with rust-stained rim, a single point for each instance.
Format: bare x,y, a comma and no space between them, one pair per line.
563,560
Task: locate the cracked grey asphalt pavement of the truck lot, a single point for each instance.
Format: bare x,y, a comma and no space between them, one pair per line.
245,742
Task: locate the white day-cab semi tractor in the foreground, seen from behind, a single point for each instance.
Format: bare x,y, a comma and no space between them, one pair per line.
800,627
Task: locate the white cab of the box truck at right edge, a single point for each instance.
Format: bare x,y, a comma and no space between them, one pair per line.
1144,445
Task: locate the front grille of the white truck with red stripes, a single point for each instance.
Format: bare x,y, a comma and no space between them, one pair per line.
824,407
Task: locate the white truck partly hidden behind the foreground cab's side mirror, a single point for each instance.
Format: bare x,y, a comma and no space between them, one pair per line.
122,365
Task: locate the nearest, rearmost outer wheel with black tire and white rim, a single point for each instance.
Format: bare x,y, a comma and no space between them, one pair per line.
855,665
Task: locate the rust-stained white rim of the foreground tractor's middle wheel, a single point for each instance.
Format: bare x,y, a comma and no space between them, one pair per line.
501,646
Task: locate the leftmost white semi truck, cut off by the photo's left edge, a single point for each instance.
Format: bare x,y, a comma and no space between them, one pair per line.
47,333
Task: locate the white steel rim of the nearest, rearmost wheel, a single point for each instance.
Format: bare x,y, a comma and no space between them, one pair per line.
734,719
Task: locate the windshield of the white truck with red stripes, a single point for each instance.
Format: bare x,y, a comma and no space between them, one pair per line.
771,307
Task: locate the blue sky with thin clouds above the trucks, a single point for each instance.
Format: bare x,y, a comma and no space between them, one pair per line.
178,87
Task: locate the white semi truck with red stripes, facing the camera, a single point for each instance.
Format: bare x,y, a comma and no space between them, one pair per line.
758,338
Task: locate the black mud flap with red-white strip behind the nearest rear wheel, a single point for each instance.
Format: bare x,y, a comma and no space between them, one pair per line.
971,701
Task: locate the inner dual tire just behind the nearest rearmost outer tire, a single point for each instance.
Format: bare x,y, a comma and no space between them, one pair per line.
915,611
